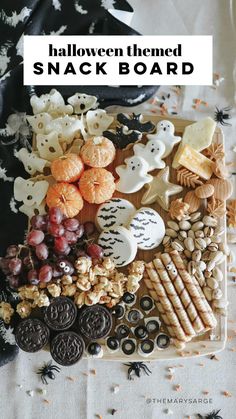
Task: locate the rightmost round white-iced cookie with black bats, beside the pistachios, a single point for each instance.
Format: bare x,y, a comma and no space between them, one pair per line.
147,228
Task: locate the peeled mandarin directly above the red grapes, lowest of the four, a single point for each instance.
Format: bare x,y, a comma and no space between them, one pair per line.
65,196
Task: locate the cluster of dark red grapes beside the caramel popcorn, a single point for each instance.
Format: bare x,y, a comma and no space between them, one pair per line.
51,240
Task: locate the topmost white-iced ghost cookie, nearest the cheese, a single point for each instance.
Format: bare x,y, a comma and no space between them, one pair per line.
165,132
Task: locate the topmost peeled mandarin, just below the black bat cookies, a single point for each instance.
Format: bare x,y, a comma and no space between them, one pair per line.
98,152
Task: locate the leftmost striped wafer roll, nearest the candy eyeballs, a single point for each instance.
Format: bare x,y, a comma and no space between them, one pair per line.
165,302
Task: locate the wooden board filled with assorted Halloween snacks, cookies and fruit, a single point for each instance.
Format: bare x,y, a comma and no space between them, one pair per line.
149,280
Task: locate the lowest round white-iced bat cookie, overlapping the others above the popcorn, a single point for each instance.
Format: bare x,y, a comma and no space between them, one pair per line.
118,243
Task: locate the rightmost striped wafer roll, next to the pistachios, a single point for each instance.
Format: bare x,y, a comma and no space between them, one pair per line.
207,318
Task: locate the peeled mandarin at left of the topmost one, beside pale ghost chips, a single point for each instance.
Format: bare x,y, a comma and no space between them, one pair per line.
67,168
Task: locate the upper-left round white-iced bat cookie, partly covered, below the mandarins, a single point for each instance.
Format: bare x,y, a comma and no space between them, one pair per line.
115,212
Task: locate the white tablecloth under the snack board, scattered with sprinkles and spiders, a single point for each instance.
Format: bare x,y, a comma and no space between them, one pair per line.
85,395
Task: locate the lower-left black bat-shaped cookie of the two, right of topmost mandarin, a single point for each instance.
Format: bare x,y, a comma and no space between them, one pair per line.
121,138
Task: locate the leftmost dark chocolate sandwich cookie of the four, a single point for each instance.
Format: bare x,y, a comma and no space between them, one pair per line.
31,335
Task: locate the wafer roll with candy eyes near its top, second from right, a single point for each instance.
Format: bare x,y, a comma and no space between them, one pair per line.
183,294
